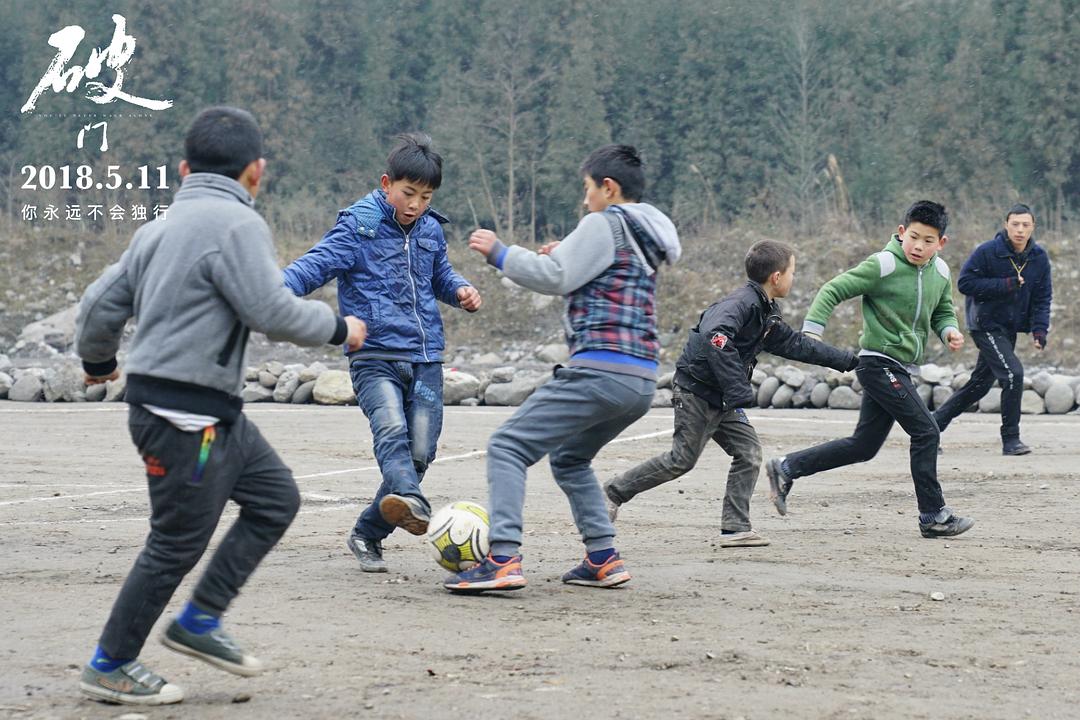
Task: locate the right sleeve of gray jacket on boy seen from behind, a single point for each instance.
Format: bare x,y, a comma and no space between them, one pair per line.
247,276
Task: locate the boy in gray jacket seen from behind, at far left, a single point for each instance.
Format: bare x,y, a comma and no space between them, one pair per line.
199,280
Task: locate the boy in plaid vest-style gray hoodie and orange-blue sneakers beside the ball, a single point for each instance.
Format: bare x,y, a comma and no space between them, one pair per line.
606,268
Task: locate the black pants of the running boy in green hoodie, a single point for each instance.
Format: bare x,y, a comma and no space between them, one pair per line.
888,397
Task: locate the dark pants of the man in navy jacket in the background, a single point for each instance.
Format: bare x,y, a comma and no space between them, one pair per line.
997,361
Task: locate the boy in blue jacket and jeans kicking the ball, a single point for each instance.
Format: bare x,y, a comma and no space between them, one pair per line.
389,256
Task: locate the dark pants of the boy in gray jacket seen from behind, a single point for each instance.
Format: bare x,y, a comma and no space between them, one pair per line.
191,478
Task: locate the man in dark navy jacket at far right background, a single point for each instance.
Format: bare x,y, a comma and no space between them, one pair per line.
1007,281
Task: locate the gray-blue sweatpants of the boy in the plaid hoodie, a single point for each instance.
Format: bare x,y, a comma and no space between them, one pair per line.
570,419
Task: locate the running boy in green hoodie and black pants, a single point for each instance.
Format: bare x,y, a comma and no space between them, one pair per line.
907,294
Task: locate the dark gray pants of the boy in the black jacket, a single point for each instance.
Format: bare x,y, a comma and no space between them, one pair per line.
696,423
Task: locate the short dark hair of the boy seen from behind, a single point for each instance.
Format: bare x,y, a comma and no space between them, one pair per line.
223,141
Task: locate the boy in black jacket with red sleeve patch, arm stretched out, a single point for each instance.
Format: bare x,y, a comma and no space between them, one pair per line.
712,386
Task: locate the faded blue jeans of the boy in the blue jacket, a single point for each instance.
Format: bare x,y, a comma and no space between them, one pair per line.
403,403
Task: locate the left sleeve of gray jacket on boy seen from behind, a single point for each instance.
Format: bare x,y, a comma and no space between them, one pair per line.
104,309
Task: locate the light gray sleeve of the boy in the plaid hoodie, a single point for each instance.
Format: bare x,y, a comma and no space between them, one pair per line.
582,257
